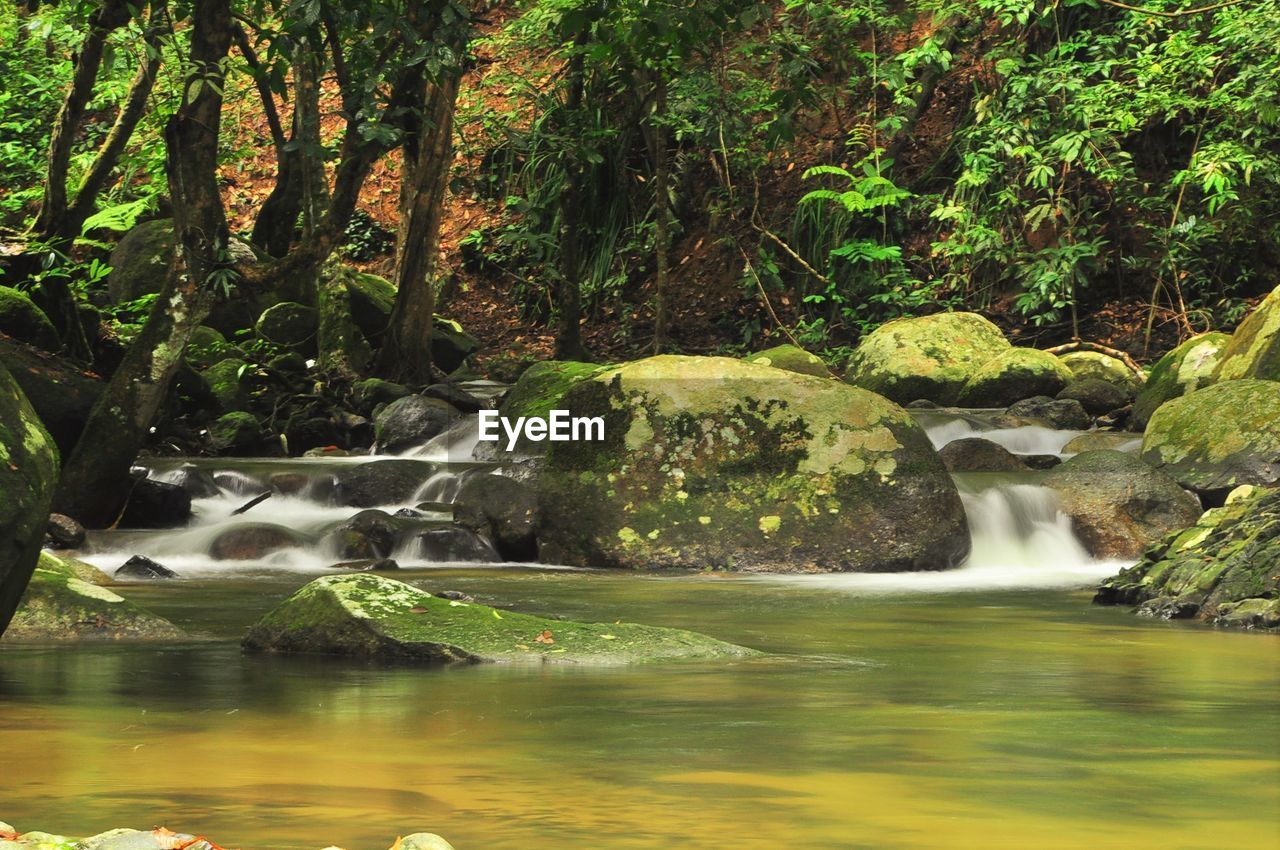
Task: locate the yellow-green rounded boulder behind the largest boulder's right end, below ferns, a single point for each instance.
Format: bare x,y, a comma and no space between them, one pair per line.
929,358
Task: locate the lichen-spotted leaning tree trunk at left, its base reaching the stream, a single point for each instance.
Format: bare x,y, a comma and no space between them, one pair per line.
95,481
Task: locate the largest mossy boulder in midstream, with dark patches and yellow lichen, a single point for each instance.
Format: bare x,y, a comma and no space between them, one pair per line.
715,463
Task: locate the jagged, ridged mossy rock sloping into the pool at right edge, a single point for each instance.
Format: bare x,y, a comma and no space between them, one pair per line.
1223,570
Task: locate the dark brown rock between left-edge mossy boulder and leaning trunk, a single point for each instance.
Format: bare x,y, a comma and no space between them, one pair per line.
62,396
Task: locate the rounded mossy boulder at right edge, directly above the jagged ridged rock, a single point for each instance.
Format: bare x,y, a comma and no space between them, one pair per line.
1219,437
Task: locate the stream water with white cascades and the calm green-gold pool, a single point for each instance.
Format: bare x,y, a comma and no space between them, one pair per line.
986,707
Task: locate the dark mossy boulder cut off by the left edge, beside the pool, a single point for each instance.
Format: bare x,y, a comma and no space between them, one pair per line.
29,474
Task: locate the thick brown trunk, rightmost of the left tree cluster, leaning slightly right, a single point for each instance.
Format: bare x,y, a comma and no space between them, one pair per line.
406,354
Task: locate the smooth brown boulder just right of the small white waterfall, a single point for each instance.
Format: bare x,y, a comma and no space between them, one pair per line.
1119,506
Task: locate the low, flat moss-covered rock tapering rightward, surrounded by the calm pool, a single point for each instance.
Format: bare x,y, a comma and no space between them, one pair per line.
376,618
